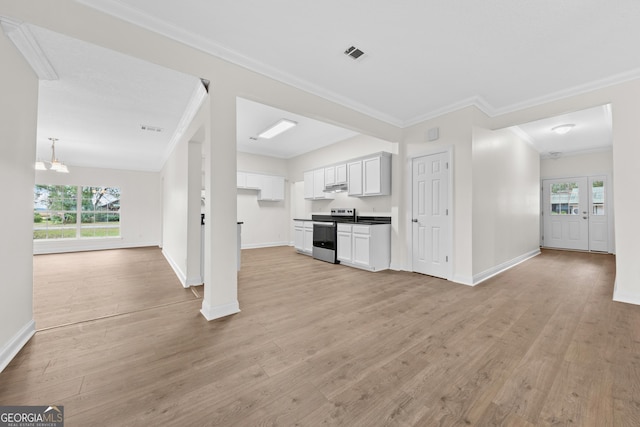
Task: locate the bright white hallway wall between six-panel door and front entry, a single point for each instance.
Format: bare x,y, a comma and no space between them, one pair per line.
506,201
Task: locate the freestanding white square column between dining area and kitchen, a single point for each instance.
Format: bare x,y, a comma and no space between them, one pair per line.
220,273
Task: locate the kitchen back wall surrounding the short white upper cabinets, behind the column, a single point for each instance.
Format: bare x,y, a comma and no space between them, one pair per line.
265,223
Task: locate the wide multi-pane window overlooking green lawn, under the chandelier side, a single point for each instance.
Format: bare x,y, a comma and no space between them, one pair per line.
72,212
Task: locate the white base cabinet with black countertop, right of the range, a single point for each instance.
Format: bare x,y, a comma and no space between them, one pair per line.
365,246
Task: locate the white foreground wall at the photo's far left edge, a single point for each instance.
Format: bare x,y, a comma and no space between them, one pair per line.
18,112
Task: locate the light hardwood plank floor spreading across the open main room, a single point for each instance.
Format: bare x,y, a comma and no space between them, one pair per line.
321,344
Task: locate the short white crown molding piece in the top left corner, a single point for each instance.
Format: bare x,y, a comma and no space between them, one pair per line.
24,40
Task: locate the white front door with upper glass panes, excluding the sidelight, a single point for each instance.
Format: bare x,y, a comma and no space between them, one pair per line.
565,204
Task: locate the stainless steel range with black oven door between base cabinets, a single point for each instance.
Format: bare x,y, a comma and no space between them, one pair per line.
325,233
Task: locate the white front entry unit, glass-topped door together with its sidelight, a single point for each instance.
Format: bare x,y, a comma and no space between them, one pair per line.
574,214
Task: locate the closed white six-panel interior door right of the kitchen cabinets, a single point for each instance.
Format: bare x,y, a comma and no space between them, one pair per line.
430,209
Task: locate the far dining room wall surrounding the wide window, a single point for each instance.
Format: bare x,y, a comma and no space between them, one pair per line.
140,213
